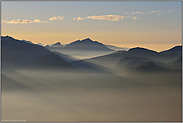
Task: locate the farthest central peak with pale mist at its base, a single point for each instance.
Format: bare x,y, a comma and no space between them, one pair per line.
81,48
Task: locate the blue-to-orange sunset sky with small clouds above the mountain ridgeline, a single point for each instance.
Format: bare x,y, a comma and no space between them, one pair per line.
155,25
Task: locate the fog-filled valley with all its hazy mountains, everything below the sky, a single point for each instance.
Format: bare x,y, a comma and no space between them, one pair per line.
49,83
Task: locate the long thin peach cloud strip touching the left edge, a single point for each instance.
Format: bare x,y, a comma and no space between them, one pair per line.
23,21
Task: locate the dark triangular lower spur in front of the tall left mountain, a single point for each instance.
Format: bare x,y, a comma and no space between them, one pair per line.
51,61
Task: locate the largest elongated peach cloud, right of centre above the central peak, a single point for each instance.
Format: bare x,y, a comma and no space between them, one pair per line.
107,17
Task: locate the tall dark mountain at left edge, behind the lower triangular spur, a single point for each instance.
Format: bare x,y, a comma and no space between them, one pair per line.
16,53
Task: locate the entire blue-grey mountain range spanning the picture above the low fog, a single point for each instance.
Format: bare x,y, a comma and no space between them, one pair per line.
17,53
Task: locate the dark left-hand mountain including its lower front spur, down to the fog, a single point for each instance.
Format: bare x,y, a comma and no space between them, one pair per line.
18,54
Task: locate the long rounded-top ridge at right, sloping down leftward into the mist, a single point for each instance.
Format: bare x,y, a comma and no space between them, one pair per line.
112,59
